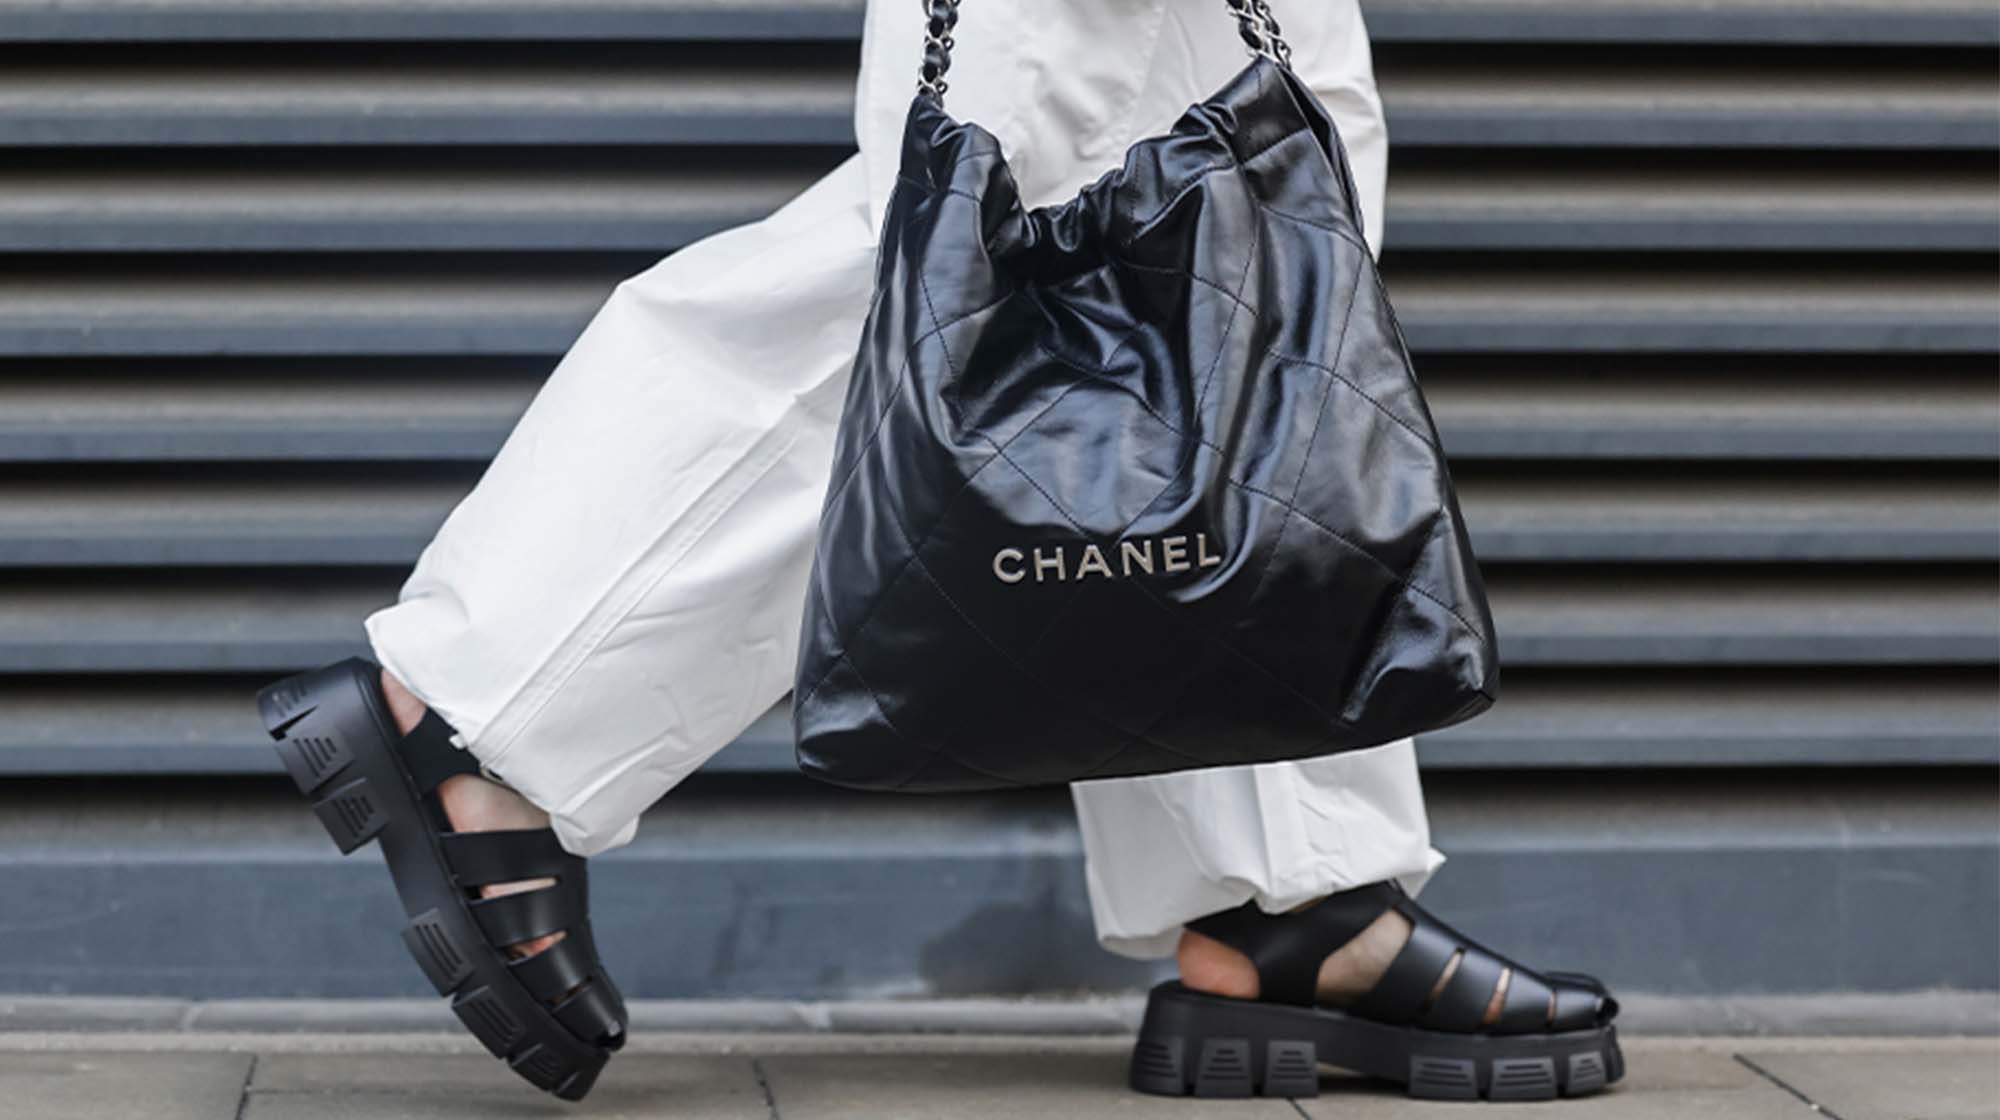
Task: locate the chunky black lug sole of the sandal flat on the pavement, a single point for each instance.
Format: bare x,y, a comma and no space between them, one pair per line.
1219,1047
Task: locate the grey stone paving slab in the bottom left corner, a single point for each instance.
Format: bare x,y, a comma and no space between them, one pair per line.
121,1085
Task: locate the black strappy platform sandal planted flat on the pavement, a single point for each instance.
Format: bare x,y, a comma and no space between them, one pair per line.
1553,1037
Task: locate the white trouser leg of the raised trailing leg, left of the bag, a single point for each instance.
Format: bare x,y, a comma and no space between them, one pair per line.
619,597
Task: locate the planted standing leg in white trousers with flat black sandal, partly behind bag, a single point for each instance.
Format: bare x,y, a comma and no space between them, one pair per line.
1285,891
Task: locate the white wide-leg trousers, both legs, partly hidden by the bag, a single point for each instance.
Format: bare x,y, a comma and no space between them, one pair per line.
623,591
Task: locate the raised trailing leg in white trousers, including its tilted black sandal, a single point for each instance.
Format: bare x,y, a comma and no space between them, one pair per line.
613,603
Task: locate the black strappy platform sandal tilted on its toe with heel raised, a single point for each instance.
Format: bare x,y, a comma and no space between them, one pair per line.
553,1017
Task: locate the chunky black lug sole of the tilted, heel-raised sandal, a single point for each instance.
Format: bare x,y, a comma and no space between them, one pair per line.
337,741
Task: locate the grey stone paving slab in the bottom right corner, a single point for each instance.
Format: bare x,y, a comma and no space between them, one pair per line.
1941,1083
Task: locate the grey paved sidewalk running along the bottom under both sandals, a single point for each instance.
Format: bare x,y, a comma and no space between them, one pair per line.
833,1077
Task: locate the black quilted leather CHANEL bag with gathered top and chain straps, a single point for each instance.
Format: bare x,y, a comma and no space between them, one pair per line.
1137,483
